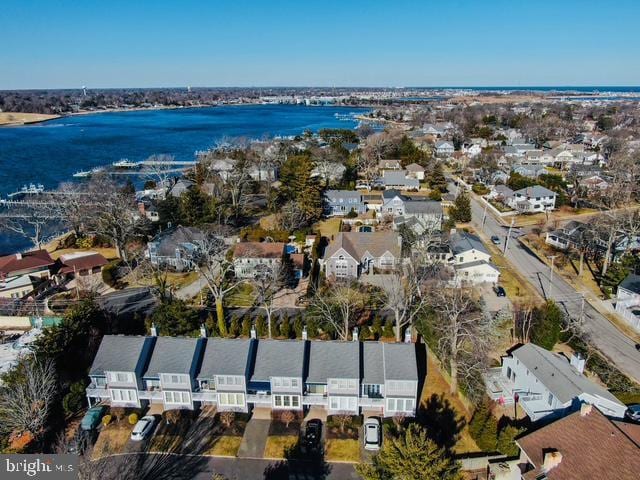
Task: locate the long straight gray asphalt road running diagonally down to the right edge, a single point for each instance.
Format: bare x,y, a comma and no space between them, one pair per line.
605,336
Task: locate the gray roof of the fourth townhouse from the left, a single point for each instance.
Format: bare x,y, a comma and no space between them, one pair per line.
278,358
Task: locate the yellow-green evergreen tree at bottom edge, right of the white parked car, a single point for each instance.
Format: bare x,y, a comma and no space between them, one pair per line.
411,456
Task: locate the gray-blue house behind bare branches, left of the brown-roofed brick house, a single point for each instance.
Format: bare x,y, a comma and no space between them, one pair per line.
176,247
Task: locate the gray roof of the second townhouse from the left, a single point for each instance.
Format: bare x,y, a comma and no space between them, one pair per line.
172,355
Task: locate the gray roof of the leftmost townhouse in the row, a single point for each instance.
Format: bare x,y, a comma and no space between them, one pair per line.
118,354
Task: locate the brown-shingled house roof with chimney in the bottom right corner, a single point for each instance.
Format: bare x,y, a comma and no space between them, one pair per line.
585,444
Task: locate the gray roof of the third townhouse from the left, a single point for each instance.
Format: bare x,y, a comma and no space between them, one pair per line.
223,356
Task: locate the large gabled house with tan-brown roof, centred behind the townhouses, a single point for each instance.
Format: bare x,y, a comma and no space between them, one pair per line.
354,253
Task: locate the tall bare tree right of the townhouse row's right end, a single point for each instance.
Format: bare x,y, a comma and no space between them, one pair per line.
464,333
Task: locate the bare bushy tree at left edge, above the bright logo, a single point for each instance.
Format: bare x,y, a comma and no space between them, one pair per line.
25,402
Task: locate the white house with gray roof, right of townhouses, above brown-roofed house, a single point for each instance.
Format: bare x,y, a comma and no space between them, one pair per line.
547,385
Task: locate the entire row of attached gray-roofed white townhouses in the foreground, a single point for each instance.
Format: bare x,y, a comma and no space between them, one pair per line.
240,374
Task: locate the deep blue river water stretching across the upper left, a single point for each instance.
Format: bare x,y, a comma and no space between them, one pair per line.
51,152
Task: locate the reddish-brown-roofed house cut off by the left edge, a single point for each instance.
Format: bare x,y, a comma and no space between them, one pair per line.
20,273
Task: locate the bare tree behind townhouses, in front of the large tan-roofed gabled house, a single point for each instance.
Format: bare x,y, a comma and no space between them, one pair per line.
338,307
